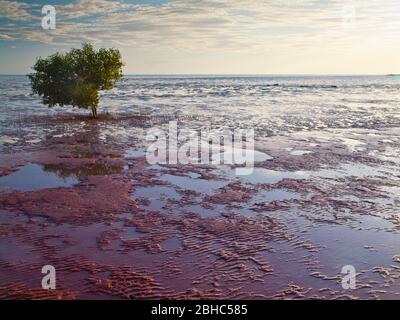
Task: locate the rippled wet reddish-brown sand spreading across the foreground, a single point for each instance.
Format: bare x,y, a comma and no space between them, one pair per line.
104,243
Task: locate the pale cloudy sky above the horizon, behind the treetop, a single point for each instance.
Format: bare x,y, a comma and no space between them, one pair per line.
211,36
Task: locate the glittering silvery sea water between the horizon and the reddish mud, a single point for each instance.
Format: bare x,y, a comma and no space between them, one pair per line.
269,104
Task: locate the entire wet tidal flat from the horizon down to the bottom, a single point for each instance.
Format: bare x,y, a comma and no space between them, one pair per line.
79,194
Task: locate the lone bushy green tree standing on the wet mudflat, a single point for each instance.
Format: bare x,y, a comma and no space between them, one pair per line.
75,78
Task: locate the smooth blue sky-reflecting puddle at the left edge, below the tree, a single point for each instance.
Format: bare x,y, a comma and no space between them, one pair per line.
34,177
